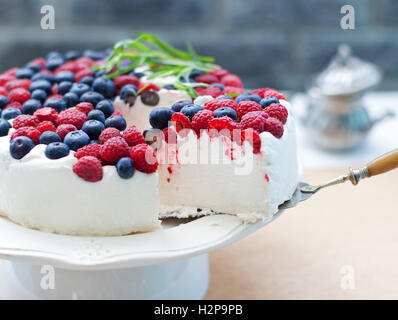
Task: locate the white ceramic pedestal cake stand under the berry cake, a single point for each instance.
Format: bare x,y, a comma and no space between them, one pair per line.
171,263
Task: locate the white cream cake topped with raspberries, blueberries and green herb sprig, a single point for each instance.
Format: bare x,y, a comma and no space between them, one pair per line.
106,143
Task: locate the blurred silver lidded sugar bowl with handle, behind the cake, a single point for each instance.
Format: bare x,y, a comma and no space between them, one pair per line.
336,118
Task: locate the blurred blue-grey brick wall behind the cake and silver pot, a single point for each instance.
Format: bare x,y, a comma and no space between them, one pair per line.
276,43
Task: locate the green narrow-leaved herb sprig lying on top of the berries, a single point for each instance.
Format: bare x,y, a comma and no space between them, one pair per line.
163,59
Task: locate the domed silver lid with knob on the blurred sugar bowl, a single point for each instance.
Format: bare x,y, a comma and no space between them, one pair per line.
346,74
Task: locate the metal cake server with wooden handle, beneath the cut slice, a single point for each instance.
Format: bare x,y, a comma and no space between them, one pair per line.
382,164
